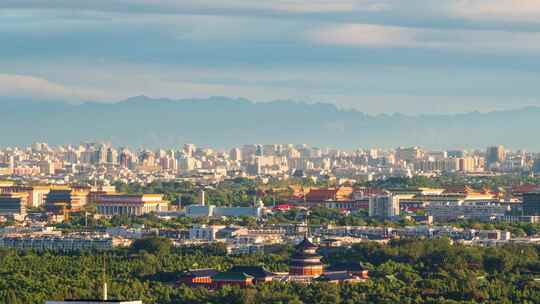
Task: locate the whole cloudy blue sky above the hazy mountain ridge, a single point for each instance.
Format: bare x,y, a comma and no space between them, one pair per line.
386,56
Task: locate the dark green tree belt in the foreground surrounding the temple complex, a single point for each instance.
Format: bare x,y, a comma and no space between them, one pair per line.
405,271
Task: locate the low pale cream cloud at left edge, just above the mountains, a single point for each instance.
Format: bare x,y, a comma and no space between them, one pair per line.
25,86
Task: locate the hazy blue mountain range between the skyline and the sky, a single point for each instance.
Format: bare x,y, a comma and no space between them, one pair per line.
225,122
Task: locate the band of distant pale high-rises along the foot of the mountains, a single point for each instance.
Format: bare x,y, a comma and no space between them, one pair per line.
103,163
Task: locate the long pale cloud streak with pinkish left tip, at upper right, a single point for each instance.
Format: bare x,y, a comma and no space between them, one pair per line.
367,35
